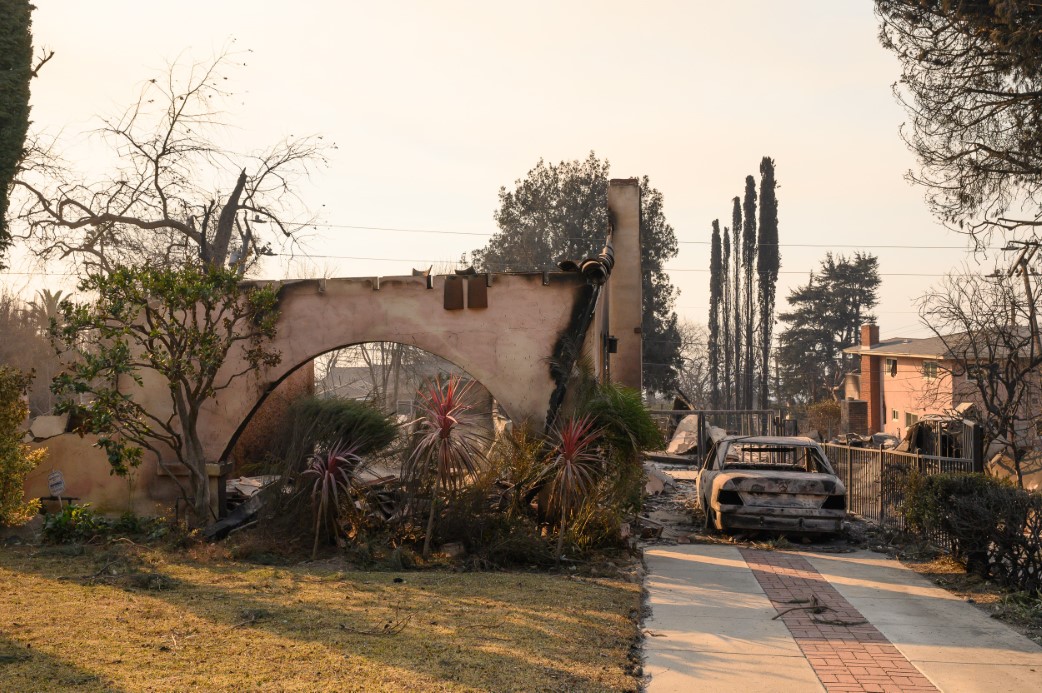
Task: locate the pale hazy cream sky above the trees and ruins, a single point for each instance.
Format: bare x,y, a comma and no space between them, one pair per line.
433,107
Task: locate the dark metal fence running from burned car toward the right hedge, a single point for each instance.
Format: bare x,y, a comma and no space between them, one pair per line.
875,479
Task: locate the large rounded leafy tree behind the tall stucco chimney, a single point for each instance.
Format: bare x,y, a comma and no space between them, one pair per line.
558,212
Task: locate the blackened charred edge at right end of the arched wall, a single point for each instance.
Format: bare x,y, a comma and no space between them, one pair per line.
569,346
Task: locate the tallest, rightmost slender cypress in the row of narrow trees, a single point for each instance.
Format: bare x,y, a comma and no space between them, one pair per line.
768,262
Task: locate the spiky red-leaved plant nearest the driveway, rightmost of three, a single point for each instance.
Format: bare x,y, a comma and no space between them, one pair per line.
574,469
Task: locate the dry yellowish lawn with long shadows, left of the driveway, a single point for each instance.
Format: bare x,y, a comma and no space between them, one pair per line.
133,620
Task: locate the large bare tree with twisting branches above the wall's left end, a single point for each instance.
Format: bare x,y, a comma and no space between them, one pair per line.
163,203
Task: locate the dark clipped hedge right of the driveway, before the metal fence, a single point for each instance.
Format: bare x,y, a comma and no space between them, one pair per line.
991,526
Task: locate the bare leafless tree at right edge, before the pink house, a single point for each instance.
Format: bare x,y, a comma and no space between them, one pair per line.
991,359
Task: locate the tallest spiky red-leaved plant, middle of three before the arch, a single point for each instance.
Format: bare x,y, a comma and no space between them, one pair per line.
446,449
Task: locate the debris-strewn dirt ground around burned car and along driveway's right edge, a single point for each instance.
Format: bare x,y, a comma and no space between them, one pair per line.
675,517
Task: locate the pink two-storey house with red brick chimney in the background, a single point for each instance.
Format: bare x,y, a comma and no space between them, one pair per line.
904,380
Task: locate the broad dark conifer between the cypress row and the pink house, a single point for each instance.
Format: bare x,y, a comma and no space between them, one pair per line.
827,316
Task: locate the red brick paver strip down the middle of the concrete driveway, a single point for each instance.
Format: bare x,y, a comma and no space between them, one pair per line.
846,658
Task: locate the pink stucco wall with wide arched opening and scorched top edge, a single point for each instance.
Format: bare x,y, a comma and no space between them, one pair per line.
507,346
